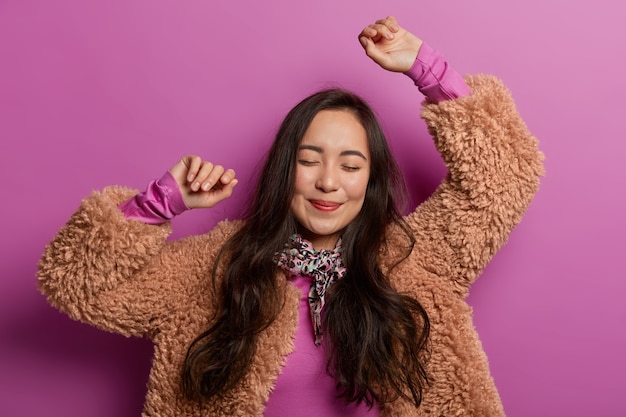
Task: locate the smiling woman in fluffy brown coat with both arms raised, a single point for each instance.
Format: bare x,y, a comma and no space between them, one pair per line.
323,300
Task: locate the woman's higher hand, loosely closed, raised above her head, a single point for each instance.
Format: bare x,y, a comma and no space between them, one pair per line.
389,45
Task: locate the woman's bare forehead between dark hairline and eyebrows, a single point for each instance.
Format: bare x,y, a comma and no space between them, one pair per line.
336,130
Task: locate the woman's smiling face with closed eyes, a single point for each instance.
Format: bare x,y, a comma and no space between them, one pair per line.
333,169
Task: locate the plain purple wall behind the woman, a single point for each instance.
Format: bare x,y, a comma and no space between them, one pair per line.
114,92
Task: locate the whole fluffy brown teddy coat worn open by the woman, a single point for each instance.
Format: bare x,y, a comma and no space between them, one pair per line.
122,276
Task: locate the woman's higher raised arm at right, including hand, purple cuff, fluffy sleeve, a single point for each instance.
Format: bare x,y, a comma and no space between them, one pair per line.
493,161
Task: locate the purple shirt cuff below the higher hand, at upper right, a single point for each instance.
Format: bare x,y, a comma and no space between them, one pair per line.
435,78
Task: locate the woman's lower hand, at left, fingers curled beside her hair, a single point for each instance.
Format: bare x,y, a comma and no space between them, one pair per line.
201,183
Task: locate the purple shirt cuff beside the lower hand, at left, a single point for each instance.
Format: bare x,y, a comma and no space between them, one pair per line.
160,202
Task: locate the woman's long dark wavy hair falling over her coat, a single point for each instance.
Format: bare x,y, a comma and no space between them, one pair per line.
375,337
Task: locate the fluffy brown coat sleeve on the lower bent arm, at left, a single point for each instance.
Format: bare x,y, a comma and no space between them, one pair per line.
122,275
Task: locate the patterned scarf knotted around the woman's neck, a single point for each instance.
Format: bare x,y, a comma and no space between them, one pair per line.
325,267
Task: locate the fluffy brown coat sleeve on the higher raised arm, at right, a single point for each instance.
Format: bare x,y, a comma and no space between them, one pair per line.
494,166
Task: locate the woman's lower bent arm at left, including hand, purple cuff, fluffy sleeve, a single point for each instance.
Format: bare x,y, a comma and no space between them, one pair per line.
110,264
